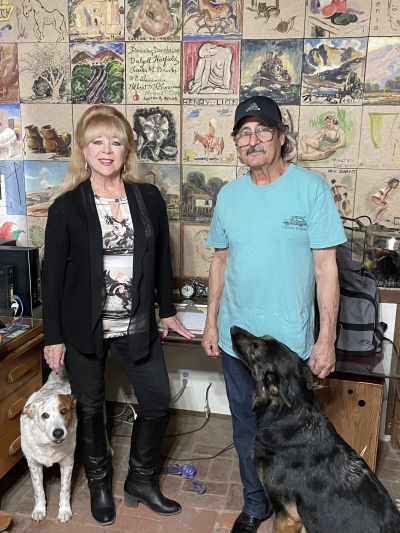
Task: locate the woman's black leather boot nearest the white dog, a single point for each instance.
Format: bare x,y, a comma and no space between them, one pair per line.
96,461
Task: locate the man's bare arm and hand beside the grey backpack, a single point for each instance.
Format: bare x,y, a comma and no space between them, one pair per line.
322,358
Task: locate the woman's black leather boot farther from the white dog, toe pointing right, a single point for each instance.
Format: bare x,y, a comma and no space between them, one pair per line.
141,484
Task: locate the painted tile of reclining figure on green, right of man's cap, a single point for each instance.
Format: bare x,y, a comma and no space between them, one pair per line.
329,136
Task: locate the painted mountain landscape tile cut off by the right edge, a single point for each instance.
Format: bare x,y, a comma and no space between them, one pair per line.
382,76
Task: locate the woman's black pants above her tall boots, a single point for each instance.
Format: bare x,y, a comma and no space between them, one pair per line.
148,377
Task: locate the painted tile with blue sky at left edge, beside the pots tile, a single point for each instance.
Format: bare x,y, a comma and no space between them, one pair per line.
10,131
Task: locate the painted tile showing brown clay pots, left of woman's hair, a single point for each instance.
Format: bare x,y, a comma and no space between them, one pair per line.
47,131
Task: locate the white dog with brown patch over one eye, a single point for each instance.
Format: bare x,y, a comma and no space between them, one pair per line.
48,436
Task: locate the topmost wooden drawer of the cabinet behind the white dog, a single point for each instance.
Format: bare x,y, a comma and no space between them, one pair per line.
19,370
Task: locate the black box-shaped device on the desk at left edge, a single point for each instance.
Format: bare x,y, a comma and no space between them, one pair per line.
27,286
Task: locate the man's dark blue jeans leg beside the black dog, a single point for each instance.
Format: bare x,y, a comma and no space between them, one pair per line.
240,386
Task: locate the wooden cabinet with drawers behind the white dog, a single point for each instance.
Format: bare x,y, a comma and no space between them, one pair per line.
20,376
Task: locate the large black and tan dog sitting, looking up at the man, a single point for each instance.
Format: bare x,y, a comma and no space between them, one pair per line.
315,481
